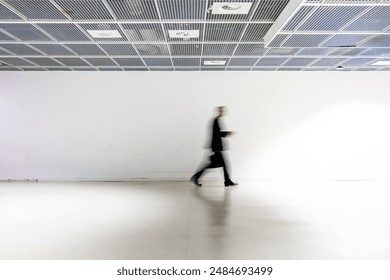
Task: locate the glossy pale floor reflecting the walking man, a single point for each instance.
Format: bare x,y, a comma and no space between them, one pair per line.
262,220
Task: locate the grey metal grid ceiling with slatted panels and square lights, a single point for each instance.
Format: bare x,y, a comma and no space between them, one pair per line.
212,35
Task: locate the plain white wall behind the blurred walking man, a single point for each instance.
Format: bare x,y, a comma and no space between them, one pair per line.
114,125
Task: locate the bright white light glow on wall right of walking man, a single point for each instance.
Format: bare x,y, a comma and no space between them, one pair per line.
347,141
